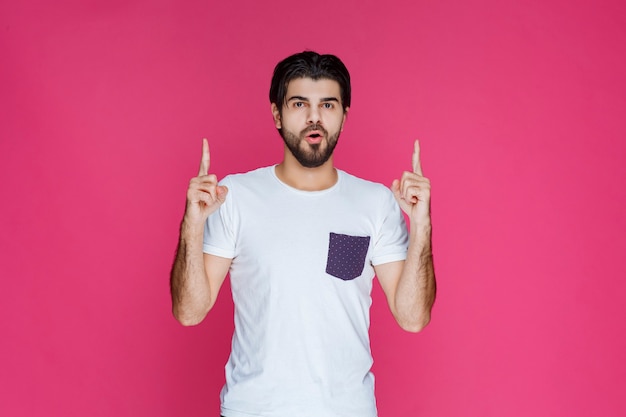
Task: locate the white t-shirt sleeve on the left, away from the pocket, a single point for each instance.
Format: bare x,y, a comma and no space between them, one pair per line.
219,236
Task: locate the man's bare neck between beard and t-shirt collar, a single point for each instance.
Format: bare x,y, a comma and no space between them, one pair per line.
295,175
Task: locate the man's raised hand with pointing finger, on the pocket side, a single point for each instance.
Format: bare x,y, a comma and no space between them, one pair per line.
412,192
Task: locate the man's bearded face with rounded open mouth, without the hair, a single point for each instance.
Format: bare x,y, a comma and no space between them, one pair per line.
311,119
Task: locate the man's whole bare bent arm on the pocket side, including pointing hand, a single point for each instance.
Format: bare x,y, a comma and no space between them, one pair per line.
410,285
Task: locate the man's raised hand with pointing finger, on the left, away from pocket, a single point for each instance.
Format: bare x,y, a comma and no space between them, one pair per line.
204,196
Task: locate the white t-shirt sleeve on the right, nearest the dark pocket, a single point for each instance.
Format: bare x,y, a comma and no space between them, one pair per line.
392,241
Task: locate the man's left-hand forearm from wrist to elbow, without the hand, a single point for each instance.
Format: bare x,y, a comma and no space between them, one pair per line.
189,283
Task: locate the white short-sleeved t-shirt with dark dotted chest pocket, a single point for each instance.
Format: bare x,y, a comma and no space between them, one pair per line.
301,278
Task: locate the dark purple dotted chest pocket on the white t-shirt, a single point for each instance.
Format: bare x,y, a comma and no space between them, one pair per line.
346,255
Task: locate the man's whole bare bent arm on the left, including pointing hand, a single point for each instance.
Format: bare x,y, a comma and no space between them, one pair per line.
196,277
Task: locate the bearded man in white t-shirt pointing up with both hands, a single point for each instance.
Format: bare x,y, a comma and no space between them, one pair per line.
302,241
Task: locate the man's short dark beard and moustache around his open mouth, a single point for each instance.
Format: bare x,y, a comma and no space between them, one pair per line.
310,155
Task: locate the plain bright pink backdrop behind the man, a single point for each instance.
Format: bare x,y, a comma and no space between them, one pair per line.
520,109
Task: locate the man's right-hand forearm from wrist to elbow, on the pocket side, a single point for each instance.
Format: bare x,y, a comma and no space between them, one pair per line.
416,290
